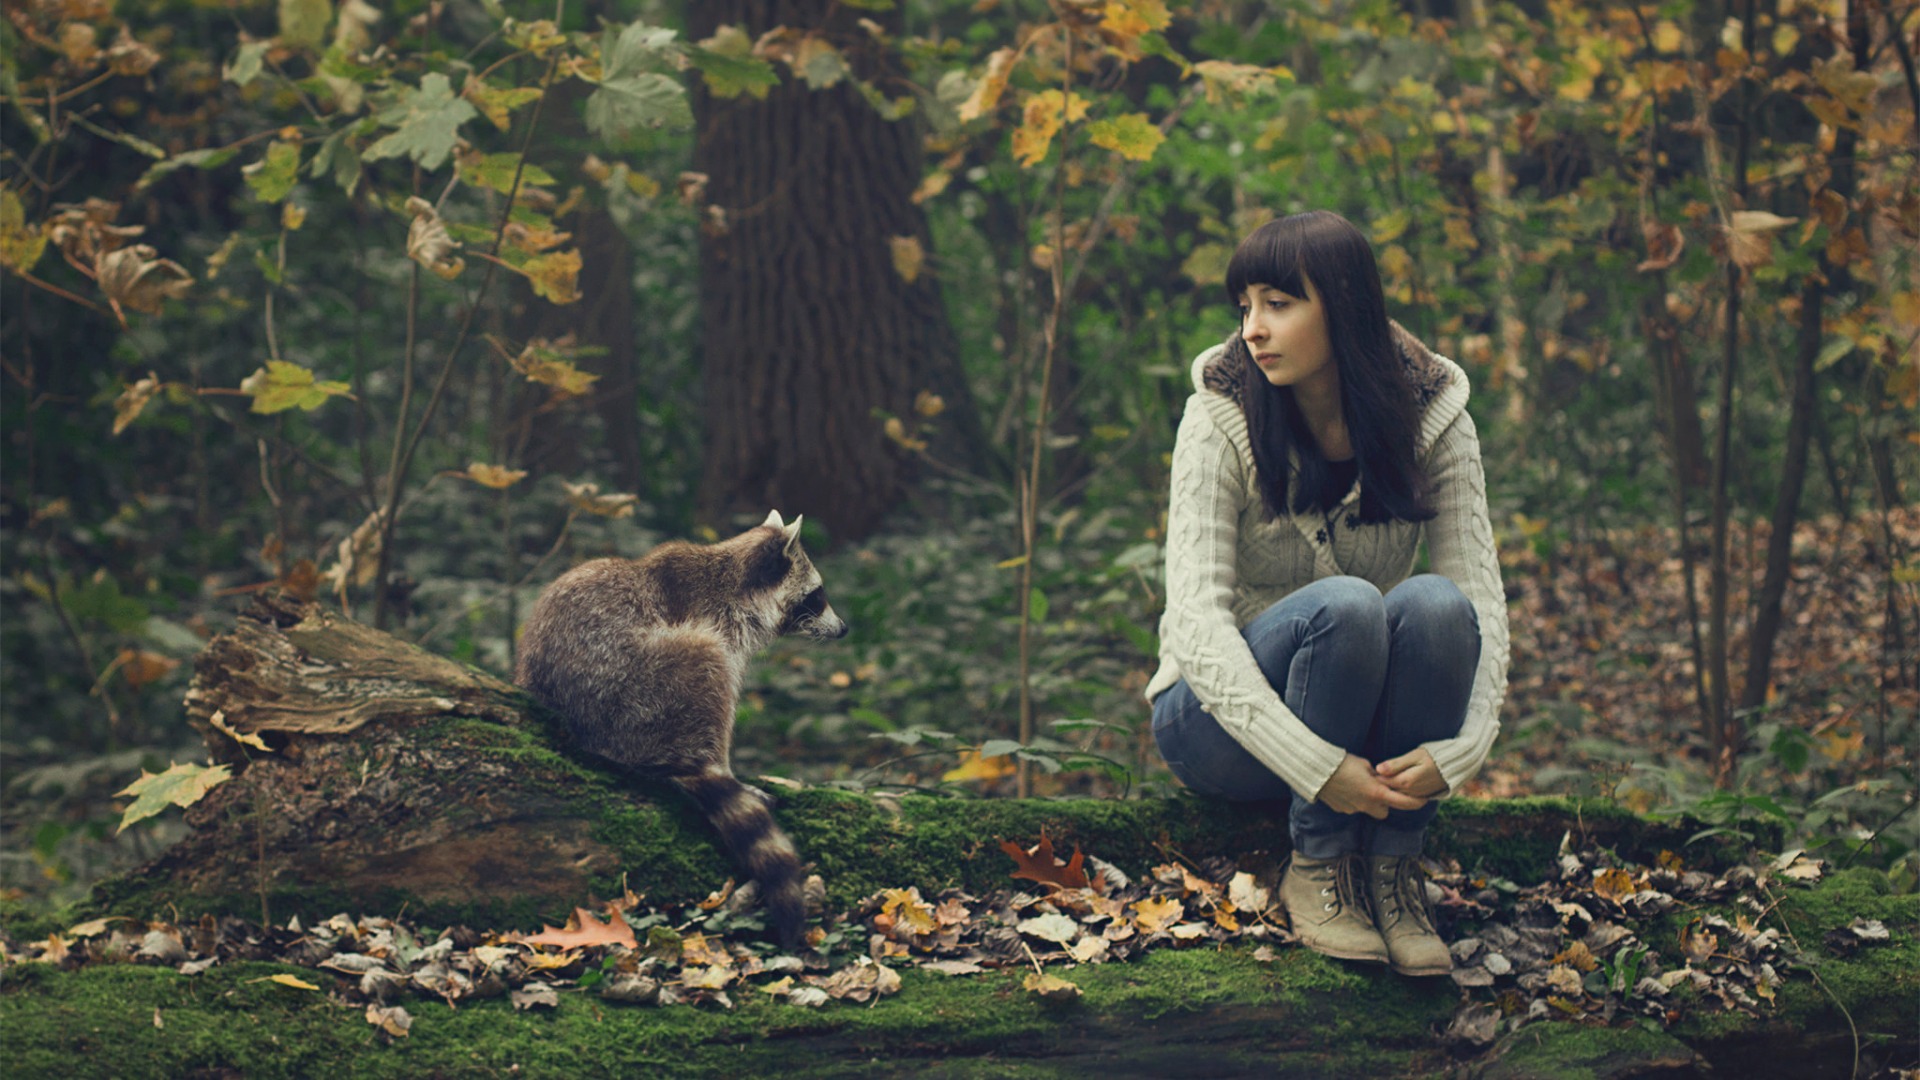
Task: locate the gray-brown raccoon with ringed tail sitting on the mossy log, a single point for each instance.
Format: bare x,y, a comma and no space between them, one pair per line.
646,660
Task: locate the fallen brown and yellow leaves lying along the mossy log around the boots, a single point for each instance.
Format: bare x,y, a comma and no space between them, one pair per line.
1593,945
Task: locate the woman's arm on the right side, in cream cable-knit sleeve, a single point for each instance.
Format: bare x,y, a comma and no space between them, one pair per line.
1460,545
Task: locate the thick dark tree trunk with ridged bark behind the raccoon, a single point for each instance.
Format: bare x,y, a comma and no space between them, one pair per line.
807,326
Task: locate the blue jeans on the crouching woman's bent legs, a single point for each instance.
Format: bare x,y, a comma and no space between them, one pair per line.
1376,675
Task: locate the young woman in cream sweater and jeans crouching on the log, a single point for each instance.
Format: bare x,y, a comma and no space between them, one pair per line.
1297,654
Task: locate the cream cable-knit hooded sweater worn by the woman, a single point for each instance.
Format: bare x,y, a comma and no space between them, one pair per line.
1226,566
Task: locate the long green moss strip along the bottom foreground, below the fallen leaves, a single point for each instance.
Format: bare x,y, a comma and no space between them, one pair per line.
101,1021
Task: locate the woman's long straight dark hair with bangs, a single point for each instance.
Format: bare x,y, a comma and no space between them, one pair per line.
1383,416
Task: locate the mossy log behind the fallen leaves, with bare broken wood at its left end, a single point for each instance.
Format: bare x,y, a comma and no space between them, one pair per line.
402,779
